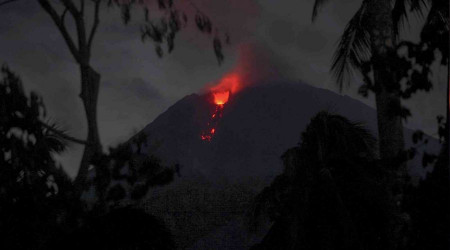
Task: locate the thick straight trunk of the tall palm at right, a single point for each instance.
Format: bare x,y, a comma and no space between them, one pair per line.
390,129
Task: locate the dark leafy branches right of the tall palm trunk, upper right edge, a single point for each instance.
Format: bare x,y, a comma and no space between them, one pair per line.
415,61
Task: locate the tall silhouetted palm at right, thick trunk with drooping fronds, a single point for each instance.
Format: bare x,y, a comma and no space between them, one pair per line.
371,36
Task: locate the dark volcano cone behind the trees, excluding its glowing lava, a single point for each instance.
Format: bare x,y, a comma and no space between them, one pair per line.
257,125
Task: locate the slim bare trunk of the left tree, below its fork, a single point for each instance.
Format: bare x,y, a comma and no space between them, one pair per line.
90,83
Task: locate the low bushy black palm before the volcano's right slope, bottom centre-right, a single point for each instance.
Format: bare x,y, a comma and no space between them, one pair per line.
331,193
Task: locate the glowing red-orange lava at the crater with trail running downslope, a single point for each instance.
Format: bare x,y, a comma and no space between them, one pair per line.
221,93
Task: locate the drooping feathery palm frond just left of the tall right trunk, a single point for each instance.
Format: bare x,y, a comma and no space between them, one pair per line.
354,46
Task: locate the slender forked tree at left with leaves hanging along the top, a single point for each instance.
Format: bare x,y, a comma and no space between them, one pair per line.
160,31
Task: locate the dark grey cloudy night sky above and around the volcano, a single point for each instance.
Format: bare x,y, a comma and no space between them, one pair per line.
137,86
